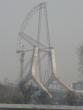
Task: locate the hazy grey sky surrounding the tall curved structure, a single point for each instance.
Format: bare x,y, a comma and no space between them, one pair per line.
66,30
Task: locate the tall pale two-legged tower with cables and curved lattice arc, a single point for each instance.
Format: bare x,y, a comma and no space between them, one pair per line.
41,69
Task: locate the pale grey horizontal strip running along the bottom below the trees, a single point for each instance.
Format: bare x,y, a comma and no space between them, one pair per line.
39,107
